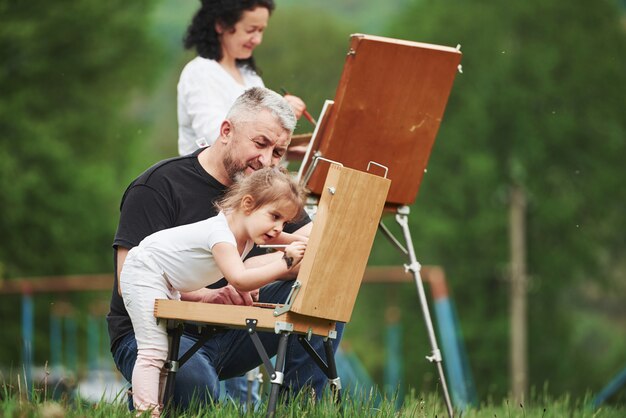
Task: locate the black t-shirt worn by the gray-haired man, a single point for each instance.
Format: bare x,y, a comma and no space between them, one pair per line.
173,192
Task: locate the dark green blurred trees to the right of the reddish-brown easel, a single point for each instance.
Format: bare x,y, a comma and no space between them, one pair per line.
540,104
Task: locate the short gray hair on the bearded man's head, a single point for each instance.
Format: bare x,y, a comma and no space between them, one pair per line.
257,99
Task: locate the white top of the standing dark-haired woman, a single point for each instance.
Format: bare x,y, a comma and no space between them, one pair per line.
206,91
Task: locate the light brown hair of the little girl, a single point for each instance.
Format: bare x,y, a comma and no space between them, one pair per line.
265,186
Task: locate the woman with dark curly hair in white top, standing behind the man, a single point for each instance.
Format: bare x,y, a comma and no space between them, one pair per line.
224,33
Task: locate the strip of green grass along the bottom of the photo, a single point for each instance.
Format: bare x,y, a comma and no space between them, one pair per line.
15,403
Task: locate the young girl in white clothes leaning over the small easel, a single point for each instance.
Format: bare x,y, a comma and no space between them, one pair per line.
189,257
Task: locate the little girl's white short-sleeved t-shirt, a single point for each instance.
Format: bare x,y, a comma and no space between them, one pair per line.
184,253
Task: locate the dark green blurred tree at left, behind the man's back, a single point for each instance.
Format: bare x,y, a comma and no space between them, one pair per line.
70,119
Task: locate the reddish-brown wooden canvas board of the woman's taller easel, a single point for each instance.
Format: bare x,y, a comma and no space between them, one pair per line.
388,107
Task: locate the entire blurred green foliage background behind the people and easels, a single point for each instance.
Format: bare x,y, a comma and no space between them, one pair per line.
88,102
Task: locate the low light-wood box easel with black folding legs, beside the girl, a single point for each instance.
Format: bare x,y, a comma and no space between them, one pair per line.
324,292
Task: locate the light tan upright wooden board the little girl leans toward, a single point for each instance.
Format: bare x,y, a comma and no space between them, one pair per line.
340,243
